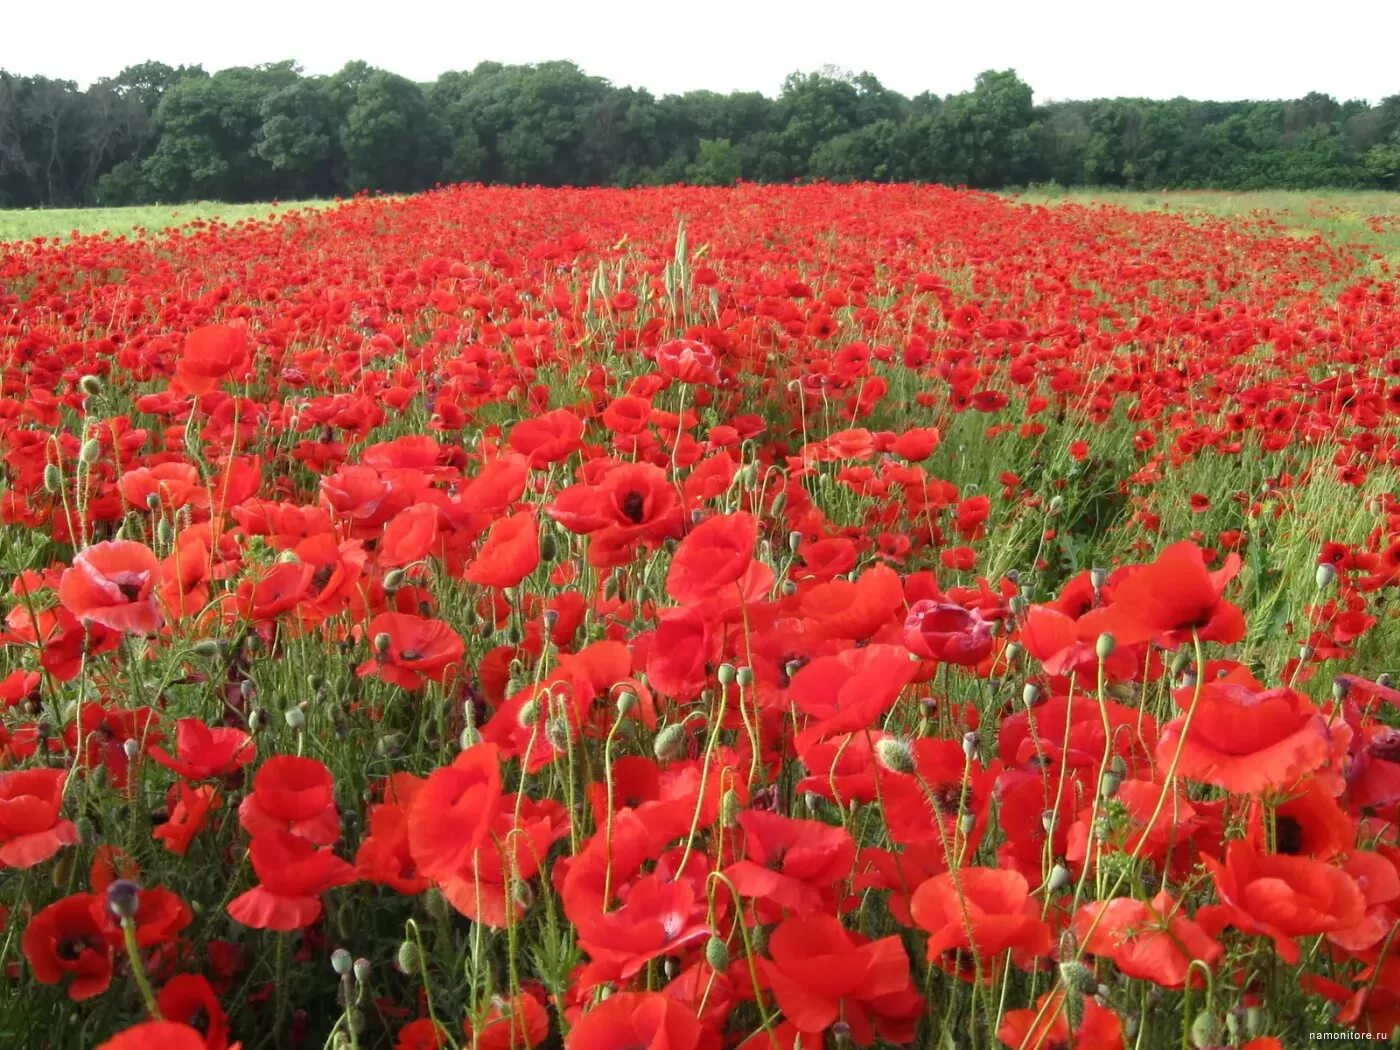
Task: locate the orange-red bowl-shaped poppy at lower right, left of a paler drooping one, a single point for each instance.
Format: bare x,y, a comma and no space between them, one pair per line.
975,916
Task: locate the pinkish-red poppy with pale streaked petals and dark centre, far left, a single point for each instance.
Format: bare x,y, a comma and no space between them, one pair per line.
114,584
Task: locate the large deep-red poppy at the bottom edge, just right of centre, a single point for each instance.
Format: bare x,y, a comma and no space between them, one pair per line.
822,974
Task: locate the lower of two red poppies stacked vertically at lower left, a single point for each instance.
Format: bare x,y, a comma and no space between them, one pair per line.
293,874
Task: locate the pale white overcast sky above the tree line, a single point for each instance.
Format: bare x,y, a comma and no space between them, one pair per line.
1217,50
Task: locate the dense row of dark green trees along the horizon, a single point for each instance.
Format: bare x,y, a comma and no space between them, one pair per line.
157,134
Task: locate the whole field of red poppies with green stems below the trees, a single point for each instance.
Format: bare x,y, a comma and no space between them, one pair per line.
790,617
